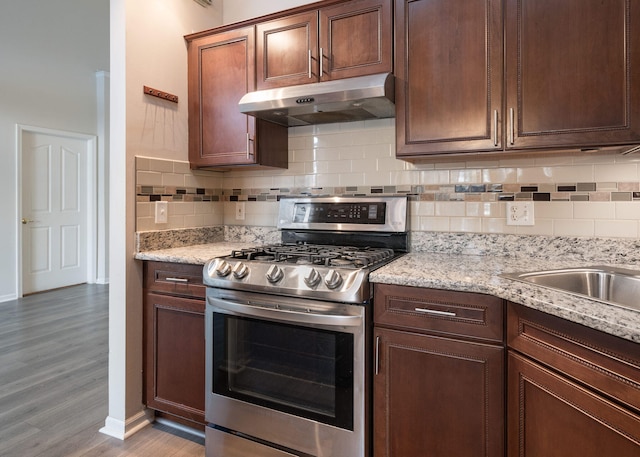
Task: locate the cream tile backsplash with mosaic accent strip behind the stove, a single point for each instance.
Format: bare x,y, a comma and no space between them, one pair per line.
575,194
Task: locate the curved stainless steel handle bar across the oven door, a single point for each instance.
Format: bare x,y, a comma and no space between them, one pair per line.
253,309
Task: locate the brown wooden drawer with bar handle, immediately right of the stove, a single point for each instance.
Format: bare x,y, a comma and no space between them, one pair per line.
459,314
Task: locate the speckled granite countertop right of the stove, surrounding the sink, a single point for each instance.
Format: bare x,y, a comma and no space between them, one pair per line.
480,274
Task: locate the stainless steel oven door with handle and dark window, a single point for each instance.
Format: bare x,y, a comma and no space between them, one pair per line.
287,371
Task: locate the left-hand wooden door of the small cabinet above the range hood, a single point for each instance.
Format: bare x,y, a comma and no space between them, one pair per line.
287,51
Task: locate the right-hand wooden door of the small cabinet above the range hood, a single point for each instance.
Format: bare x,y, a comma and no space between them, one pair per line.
356,39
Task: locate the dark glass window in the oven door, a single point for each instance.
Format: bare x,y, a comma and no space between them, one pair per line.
294,369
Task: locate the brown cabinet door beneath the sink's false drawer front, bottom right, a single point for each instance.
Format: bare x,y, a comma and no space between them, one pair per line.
552,417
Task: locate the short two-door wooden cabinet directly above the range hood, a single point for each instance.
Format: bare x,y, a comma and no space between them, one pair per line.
353,38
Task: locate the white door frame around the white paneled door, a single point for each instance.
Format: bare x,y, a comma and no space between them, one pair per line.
91,142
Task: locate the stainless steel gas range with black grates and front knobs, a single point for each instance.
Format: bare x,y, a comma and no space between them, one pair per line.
288,331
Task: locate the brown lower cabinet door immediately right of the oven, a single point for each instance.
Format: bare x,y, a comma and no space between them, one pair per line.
437,397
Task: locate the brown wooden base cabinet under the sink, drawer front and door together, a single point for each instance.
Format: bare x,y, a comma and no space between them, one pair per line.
572,391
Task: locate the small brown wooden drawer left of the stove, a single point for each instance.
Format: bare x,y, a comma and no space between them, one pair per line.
174,278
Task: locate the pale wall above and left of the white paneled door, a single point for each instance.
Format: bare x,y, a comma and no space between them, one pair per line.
49,55
